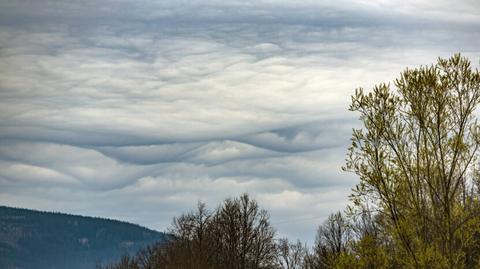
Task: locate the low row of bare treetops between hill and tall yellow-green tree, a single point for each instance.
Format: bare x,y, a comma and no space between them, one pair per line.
239,235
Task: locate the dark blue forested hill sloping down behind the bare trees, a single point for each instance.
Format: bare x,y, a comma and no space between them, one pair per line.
43,240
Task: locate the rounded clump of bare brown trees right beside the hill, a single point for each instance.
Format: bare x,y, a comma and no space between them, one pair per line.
236,235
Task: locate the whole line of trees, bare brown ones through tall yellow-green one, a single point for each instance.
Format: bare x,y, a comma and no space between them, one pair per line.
416,205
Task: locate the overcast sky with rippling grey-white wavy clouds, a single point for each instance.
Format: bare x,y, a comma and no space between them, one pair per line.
136,110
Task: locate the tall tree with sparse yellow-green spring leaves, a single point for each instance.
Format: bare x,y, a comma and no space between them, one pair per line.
416,158
